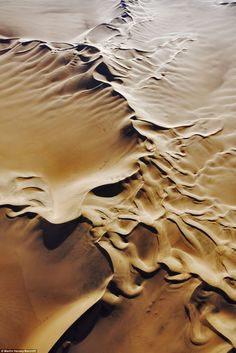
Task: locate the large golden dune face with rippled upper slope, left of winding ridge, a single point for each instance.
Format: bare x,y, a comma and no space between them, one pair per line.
50,109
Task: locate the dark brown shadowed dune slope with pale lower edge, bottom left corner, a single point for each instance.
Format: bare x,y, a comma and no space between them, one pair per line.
46,288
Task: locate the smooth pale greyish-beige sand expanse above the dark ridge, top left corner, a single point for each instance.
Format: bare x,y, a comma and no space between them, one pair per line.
53,20
